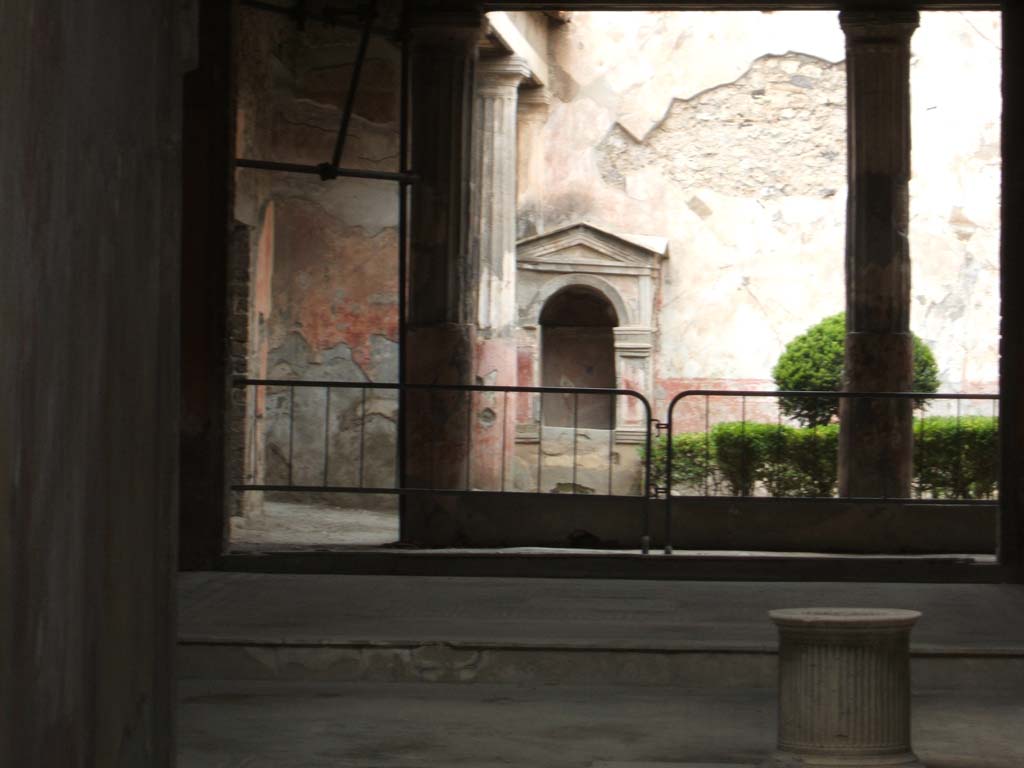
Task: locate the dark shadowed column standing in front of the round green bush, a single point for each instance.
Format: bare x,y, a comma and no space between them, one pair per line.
876,436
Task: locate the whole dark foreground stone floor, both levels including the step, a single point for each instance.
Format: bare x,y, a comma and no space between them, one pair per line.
361,672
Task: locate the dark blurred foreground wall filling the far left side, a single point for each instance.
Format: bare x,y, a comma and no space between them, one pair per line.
90,247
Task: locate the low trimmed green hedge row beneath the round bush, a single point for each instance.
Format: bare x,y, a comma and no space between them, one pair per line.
954,459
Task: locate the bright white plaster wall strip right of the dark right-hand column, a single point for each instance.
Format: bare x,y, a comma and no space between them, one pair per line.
955,194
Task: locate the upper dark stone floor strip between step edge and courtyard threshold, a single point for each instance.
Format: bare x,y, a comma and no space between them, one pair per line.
282,609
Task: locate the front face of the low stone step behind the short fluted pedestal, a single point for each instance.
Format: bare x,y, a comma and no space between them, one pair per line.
475,663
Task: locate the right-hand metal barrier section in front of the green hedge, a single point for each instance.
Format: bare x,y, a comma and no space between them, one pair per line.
785,446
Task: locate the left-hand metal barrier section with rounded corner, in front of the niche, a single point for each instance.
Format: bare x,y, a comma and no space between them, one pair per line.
324,437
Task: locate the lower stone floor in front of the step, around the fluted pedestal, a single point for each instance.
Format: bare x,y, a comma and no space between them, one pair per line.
241,724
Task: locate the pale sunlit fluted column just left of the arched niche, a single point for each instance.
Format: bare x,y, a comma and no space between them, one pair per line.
493,212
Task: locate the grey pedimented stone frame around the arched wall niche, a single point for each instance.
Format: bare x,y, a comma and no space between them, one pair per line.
624,269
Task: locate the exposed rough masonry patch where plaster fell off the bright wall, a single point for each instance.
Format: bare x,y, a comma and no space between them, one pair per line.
778,132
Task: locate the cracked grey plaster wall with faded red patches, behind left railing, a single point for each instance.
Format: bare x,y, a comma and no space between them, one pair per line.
330,310
